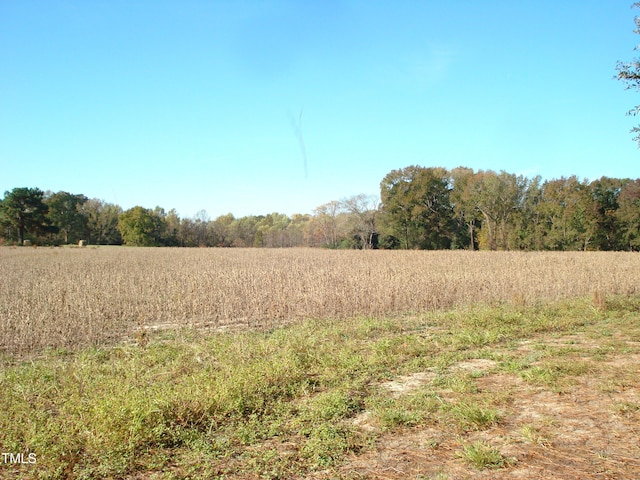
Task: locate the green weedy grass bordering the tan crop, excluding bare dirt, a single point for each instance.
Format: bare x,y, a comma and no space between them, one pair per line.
280,403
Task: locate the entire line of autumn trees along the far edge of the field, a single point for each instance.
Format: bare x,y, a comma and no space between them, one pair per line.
418,208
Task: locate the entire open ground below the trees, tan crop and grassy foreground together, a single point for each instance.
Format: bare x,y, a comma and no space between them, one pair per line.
314,364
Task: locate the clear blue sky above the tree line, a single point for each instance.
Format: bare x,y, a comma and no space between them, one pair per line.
252,107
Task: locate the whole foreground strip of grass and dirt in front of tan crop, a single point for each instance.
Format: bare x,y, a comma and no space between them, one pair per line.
321,399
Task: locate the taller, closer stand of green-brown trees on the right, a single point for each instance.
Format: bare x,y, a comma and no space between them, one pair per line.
431,208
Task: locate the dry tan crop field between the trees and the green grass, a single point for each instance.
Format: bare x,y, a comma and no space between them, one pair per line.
68,297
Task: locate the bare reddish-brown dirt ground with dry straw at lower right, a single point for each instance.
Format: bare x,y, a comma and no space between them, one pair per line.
588,429
